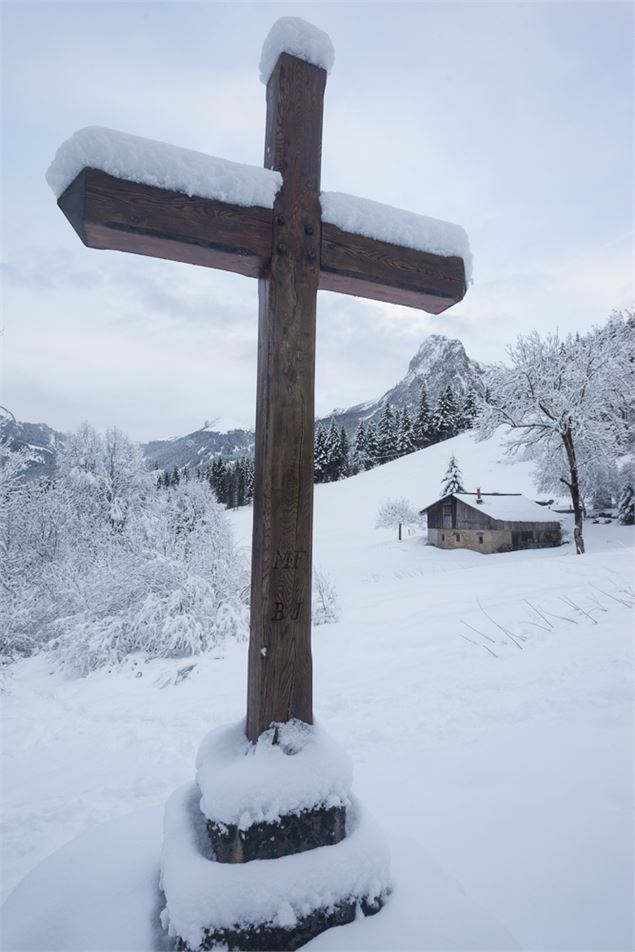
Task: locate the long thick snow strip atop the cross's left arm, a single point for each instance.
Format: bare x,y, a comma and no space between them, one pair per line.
148,162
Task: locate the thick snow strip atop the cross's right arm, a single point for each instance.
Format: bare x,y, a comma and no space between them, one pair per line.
400,227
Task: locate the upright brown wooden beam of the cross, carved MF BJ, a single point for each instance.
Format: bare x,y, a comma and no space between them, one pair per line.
280,664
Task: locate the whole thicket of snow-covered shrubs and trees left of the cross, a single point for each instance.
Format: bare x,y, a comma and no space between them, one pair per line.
111,566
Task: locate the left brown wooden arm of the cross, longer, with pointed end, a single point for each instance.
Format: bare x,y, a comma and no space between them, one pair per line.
111,213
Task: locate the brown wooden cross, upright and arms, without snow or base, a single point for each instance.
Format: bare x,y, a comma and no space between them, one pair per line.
293,254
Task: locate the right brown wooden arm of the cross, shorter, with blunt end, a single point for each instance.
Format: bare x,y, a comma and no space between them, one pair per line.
365,267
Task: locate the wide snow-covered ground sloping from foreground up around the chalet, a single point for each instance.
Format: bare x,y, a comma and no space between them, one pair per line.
486,702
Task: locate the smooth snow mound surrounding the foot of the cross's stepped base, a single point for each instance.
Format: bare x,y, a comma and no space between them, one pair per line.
101,891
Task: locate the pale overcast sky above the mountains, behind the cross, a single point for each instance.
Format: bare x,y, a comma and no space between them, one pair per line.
512,119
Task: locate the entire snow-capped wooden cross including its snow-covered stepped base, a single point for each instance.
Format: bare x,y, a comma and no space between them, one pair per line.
269,847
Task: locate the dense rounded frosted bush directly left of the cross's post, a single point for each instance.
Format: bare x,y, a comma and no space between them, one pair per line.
174,585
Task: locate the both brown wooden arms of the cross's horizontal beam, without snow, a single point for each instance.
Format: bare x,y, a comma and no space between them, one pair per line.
112,213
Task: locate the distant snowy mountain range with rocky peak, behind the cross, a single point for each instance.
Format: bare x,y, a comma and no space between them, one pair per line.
439,362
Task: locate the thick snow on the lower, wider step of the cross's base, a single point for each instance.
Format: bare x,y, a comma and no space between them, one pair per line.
206,896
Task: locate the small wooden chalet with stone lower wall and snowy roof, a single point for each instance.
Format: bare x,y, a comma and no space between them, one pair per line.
491,522
